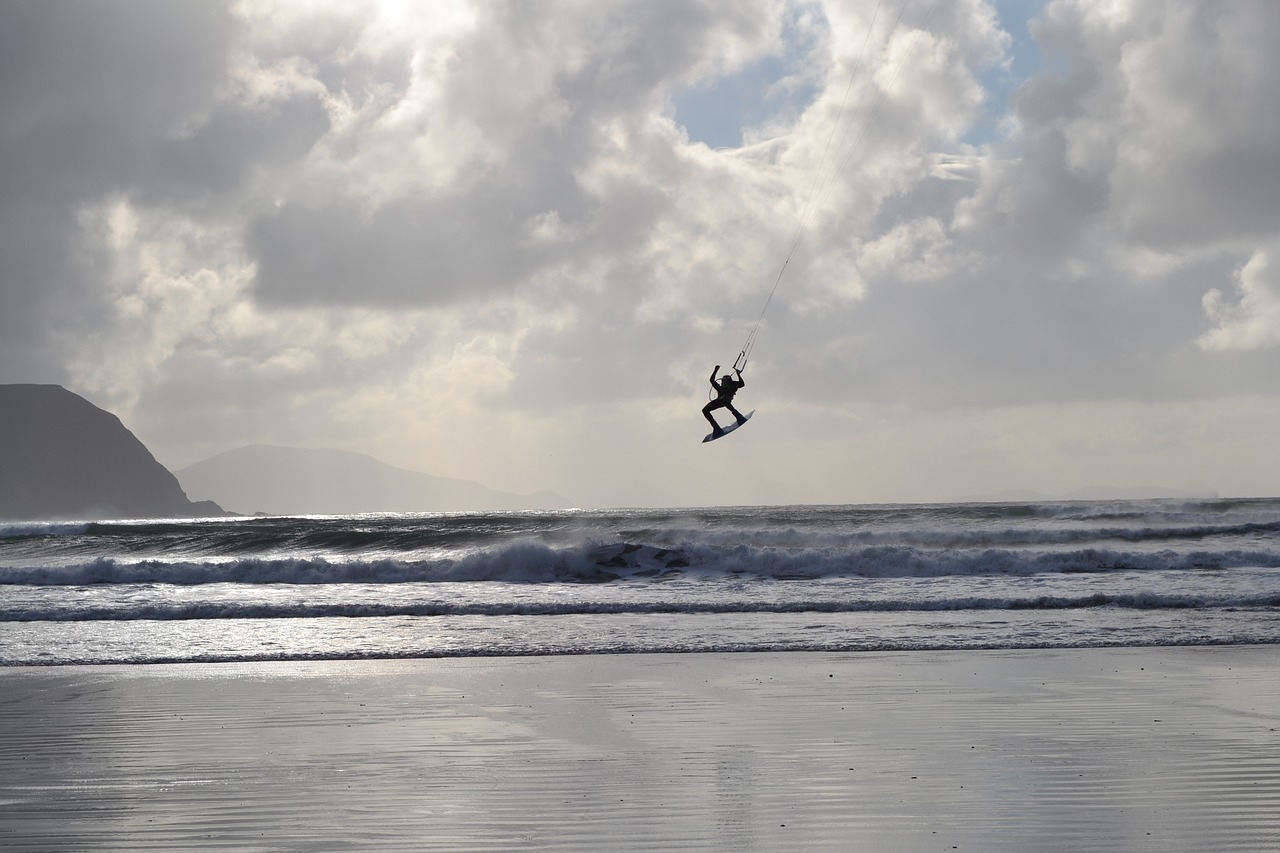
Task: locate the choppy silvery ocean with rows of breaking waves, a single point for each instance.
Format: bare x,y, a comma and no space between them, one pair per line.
580,582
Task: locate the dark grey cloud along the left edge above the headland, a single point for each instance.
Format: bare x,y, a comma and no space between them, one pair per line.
86,89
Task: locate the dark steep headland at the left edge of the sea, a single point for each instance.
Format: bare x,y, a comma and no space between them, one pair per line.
63,458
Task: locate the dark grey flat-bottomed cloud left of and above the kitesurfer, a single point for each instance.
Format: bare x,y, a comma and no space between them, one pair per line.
429,252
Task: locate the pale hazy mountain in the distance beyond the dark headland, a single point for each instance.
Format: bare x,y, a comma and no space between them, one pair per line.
291,481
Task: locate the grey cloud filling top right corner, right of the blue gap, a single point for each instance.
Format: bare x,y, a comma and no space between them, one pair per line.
1165,104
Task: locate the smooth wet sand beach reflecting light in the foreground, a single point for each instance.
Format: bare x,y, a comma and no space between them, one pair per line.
1050,750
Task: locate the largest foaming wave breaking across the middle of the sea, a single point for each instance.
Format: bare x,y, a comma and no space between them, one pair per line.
537,563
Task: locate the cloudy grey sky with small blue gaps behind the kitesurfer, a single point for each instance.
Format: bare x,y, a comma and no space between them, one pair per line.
1017,245
